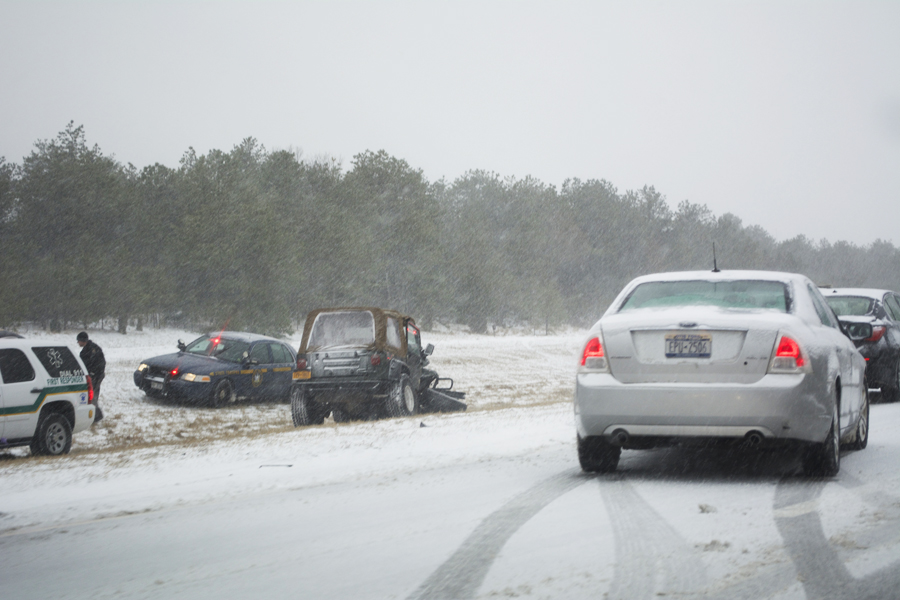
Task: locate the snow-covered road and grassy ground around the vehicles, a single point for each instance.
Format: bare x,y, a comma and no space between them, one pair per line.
167,501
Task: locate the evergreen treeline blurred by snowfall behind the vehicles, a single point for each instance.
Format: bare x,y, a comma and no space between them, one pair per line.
252,240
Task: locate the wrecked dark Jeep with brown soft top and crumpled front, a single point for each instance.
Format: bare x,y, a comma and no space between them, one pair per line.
362,363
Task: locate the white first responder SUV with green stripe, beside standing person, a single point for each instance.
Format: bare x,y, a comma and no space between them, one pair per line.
45,396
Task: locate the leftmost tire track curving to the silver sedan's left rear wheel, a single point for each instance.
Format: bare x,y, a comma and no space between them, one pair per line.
460,576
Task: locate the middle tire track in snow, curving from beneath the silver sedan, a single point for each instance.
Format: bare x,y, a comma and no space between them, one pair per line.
652,559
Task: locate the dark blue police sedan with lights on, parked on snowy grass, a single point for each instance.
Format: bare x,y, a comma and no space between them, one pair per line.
220,368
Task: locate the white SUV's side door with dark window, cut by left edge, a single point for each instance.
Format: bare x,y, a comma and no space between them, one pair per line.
20,395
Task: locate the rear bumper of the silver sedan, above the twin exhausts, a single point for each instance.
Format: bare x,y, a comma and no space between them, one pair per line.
777,407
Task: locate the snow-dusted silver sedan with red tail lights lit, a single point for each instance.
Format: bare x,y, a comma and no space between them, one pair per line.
750,357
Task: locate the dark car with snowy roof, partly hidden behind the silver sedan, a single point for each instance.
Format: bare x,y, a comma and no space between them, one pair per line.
881,308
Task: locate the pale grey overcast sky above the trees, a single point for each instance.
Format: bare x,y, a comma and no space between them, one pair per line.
786,114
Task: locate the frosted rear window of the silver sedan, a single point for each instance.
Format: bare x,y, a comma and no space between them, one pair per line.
748,294
